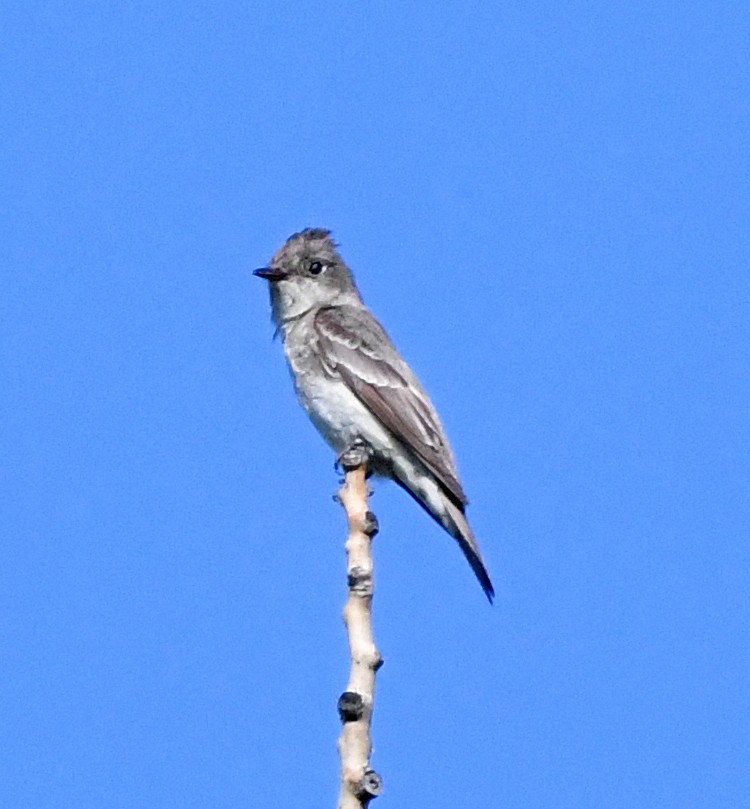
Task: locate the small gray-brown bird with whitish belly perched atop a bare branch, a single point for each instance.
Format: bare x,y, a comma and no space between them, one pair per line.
355,386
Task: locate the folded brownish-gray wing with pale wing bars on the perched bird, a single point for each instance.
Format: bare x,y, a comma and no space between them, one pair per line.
356,347
